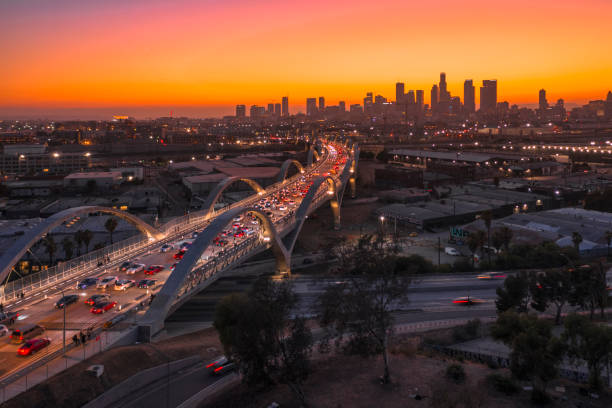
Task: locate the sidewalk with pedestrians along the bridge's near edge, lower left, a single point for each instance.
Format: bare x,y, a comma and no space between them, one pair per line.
73,356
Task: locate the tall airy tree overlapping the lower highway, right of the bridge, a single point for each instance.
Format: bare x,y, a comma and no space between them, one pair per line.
356,313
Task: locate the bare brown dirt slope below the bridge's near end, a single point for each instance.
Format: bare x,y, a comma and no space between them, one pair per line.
72,388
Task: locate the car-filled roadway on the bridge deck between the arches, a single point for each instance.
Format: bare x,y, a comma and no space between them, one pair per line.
38,307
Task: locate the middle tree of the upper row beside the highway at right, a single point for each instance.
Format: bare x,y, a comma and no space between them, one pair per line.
551,287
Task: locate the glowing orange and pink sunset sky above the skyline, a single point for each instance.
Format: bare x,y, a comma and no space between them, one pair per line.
147,57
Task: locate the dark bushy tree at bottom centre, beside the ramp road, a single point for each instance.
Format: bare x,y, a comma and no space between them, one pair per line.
257,331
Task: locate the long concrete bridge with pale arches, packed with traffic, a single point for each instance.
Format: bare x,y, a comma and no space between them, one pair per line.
330,170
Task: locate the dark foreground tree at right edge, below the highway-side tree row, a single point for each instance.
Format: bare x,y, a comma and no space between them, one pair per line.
589,342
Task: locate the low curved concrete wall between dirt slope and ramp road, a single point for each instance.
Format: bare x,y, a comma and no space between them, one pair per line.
138,381
